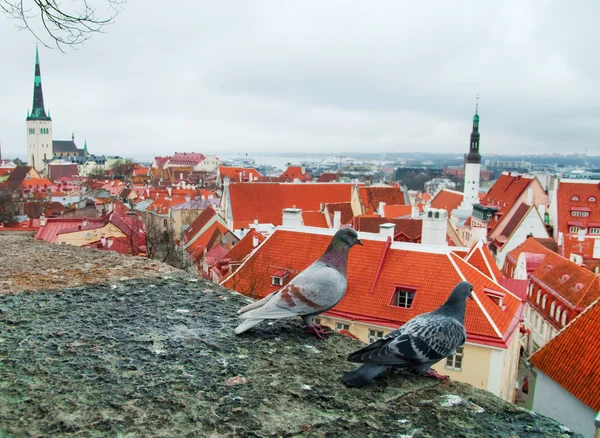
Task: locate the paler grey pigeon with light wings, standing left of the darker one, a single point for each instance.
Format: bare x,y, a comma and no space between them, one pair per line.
315,290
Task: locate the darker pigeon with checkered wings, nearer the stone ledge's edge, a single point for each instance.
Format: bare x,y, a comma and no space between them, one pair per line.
418,344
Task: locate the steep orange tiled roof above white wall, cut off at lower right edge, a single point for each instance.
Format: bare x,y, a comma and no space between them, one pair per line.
572,359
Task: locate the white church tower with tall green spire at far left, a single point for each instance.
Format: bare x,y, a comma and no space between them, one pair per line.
39,125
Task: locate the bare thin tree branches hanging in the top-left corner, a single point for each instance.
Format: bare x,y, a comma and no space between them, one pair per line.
66,26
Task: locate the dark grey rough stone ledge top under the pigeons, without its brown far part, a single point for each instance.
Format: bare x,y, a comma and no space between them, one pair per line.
157,357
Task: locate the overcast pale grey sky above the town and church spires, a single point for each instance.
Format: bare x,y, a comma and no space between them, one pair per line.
317,76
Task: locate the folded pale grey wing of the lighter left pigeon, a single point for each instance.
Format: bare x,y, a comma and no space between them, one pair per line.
316,289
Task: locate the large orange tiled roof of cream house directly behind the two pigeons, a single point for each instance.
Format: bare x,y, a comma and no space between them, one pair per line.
370,289
